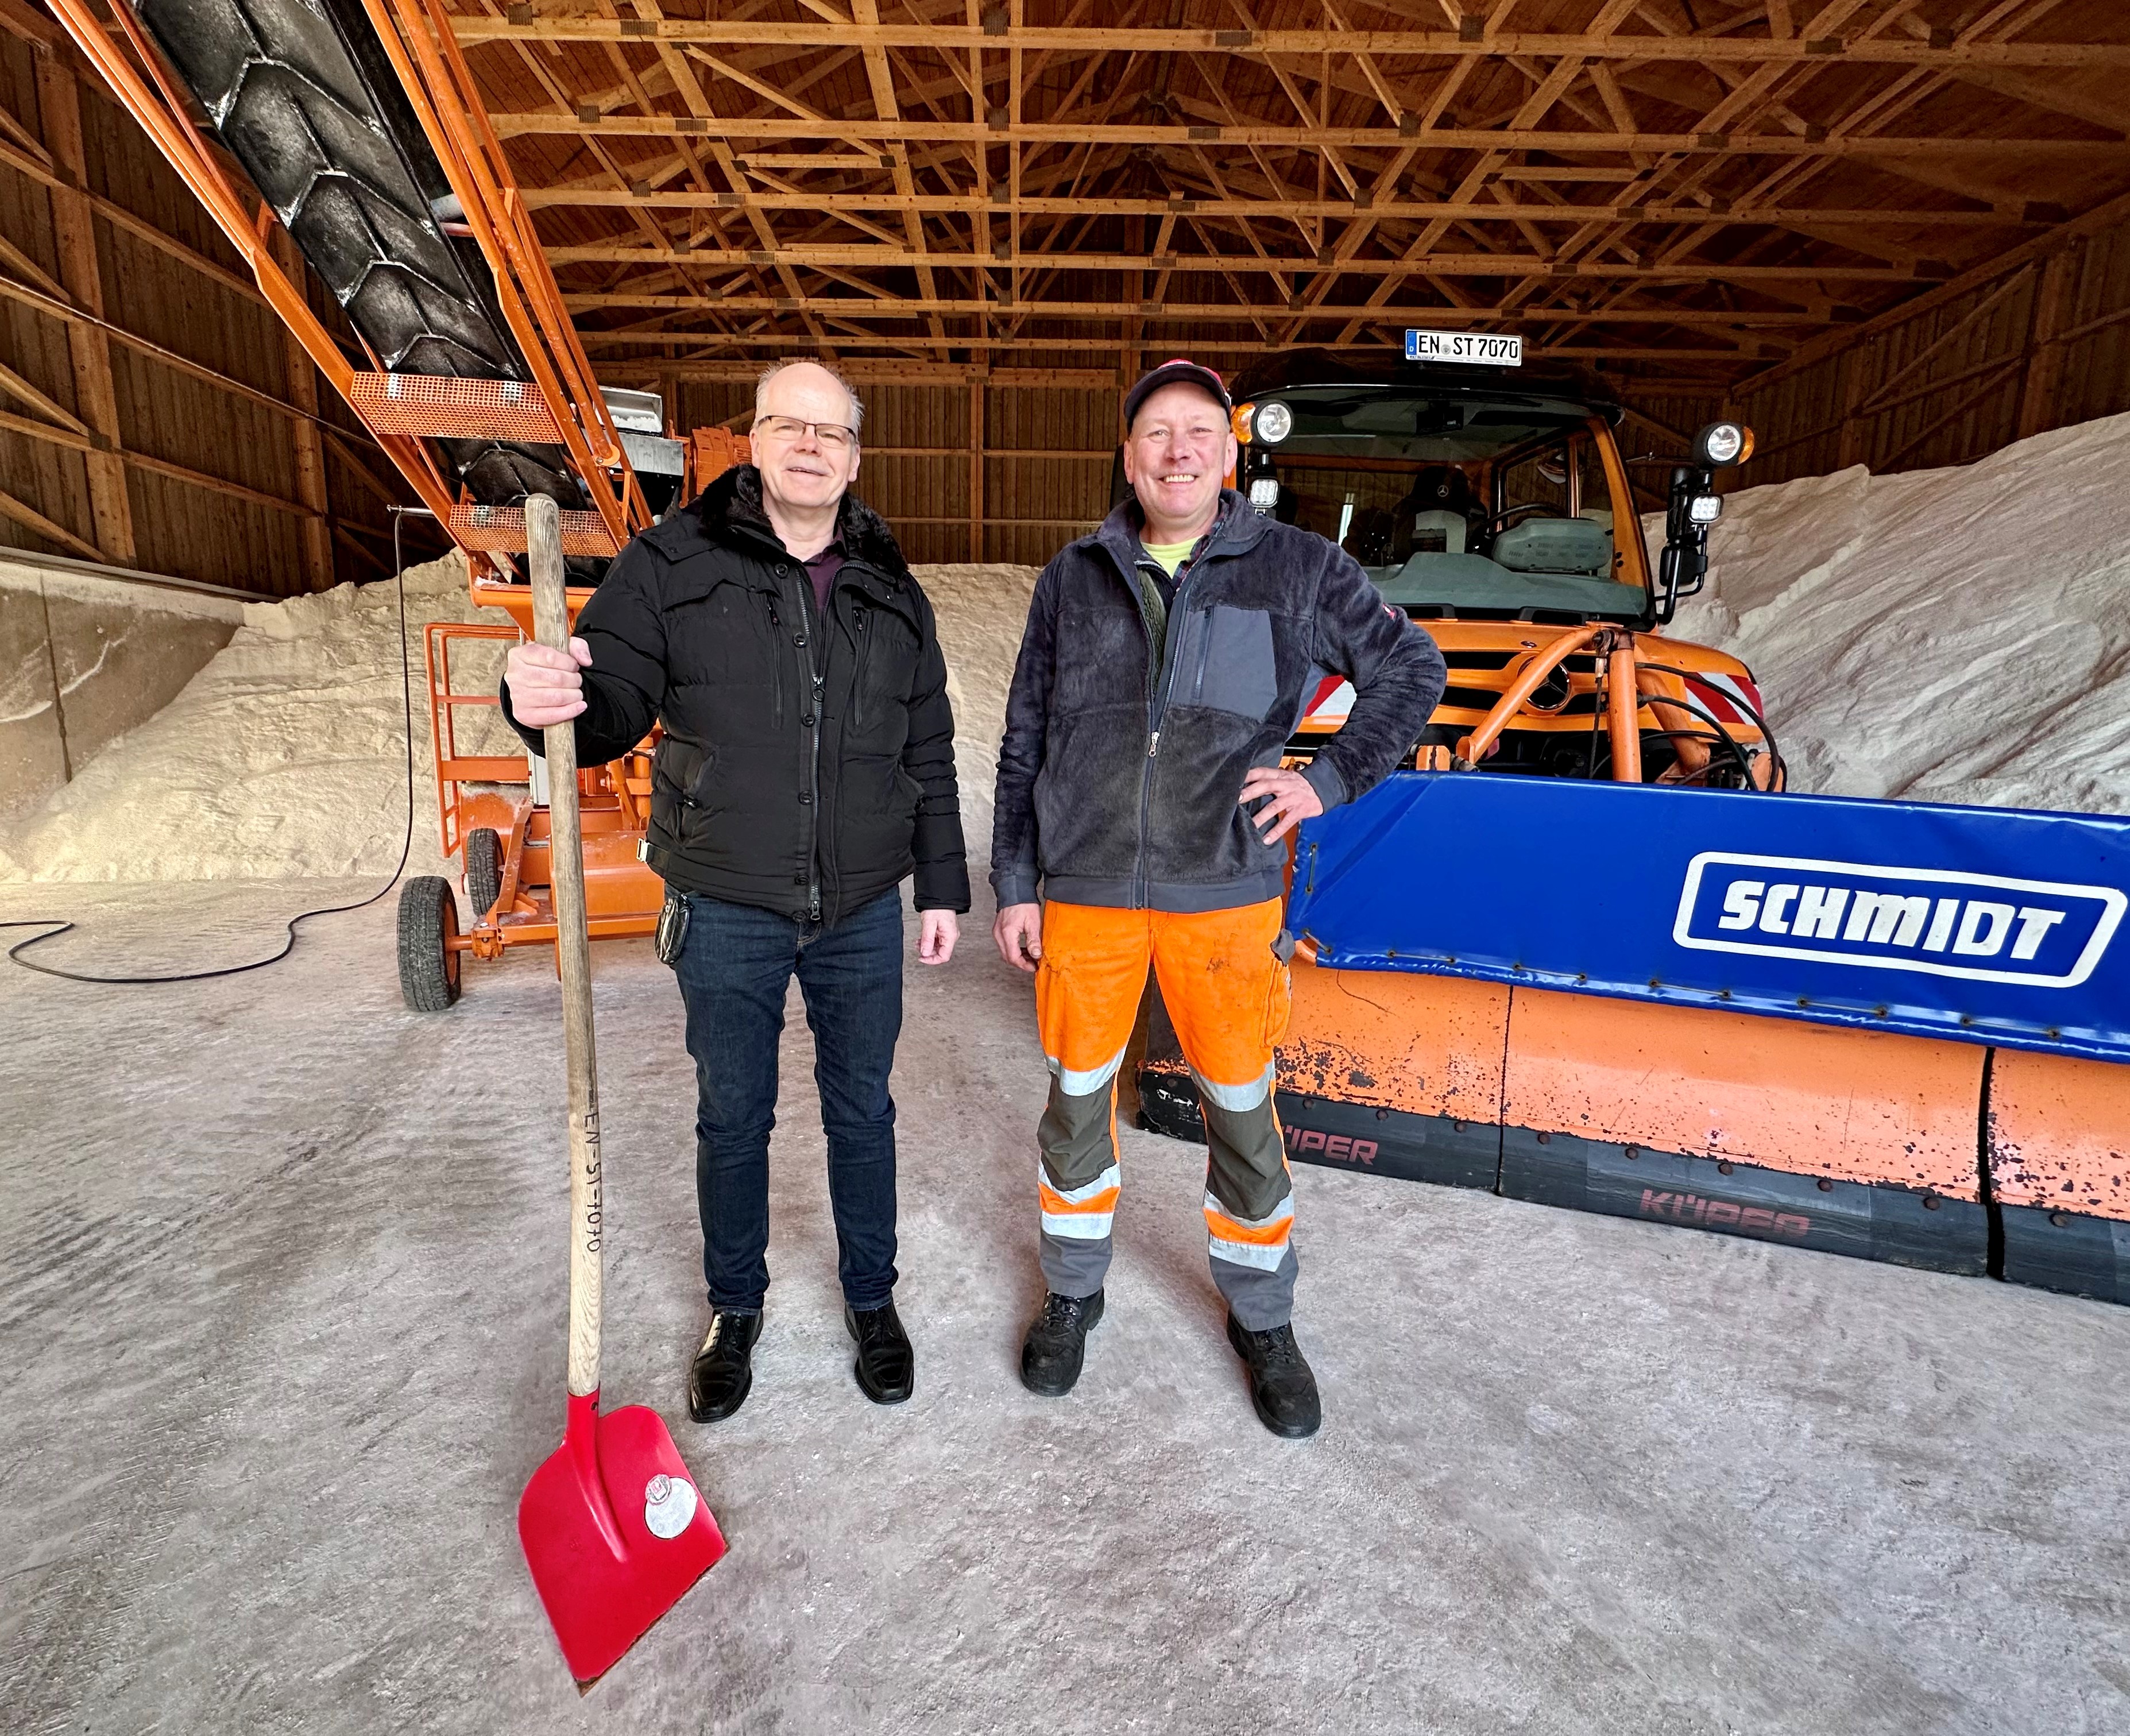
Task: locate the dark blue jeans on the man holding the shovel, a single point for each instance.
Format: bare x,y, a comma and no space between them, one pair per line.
734,975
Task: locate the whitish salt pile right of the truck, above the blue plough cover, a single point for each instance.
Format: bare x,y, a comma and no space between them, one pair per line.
1939,636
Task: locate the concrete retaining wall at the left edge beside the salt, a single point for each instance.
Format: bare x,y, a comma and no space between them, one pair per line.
86,653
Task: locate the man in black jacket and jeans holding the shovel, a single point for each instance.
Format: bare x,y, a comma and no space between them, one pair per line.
806,768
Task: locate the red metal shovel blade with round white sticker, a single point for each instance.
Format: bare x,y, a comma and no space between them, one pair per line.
615,1533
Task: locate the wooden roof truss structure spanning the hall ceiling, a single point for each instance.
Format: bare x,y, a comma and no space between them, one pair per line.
1688,189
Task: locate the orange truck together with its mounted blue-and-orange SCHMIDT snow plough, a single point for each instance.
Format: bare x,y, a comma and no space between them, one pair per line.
1586,949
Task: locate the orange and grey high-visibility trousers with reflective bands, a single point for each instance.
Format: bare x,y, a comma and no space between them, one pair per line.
1226,985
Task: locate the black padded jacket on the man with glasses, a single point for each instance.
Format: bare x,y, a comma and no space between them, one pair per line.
806,766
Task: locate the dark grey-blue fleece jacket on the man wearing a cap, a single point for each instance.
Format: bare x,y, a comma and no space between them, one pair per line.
1121,791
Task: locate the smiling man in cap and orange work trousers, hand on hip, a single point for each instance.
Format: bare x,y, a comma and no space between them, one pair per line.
1164,668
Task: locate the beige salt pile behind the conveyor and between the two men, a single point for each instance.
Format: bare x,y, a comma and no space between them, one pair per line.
284,755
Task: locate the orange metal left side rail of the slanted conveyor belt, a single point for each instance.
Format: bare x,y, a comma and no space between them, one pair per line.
169,129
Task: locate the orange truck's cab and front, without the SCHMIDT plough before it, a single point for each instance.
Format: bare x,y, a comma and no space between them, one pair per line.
1496,510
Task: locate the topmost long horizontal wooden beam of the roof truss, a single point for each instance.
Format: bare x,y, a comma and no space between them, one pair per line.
1697,48
